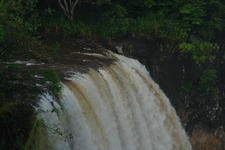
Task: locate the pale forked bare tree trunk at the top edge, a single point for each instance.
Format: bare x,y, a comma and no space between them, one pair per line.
68,7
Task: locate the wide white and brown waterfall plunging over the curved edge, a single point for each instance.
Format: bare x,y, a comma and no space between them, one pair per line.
114,107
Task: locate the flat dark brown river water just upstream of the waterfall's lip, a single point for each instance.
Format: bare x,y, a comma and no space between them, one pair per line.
71,58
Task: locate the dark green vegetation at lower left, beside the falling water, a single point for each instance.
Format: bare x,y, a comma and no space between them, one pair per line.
18,96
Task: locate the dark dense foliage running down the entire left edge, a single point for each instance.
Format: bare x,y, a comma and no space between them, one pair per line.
19,90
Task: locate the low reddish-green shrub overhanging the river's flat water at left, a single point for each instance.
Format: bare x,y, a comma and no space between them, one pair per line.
21,45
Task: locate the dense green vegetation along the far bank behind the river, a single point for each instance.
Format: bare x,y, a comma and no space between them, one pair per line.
111,19
